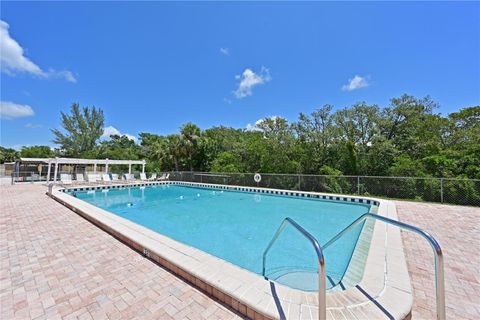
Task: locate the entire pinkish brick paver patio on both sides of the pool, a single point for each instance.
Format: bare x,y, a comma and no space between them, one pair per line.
57,265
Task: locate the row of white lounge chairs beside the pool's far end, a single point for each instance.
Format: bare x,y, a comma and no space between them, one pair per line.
66,179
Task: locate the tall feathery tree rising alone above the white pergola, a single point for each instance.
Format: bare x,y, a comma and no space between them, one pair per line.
82,130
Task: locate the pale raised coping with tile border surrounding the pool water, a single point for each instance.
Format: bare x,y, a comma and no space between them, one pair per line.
384,291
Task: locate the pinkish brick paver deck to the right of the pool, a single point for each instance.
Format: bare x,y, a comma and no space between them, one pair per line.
457,229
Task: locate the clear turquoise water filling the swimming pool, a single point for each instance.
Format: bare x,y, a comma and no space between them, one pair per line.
237,226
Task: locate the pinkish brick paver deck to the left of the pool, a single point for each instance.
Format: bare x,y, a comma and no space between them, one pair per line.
55,264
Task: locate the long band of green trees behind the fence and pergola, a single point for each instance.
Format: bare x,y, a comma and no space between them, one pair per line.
404,138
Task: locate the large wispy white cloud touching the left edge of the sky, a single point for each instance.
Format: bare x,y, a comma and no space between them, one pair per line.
13,60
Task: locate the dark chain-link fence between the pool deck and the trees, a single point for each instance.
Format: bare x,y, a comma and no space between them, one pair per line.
442,190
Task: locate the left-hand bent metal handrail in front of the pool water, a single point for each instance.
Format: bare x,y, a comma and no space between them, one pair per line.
322,286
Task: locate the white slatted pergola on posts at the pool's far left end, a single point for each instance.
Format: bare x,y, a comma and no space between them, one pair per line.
94,162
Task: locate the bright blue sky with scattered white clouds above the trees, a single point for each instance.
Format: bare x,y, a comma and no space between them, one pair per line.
153,66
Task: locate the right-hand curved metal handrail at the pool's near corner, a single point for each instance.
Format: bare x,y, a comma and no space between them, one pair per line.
439,271
